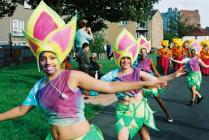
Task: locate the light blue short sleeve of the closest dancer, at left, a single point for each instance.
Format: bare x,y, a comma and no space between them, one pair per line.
31,99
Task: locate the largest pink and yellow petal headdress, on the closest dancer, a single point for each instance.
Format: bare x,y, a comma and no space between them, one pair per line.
46,31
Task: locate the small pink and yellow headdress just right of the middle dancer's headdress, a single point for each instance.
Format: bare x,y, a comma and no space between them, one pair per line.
143,43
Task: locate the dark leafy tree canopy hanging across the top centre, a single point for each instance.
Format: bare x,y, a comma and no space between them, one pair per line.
96,12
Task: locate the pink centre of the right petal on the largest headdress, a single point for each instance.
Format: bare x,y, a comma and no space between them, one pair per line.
62,38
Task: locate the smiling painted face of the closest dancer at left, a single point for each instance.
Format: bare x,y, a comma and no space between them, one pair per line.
49,63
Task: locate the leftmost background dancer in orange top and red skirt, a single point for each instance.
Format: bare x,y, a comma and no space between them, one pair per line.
164,56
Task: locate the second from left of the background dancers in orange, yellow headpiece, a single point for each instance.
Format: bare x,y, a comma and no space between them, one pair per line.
177,52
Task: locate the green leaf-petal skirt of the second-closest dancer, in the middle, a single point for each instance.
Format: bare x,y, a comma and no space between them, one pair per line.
133,116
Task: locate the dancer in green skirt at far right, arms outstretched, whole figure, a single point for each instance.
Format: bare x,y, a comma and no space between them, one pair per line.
194,76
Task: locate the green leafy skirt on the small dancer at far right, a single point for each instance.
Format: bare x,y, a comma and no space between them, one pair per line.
194,79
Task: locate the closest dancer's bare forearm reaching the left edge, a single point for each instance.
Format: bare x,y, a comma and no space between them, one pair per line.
15,112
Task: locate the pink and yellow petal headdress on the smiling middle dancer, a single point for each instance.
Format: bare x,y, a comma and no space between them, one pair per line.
125,46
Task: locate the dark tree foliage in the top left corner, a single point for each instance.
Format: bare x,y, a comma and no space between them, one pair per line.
7,7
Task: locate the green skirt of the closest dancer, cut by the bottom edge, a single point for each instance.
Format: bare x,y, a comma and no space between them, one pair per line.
94,133
